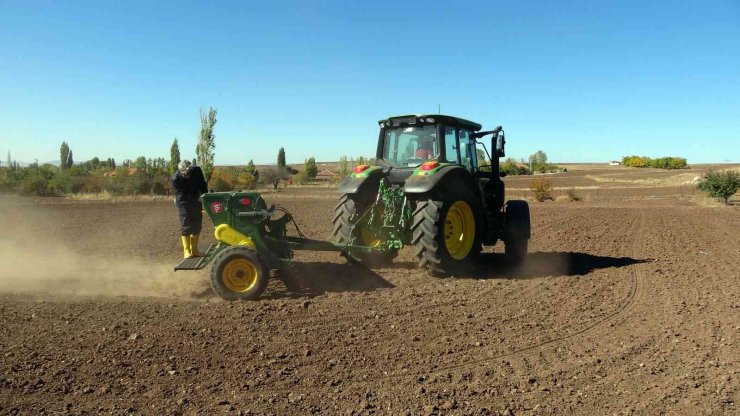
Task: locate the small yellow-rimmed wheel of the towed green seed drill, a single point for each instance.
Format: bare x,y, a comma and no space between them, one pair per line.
238,273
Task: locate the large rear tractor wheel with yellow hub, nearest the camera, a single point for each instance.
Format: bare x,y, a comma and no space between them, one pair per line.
445,231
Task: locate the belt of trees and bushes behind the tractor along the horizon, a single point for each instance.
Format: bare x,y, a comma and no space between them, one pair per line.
152,175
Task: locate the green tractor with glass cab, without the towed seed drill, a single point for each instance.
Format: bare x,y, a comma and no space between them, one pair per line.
435,187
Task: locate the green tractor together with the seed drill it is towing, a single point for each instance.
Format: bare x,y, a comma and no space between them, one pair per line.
434,186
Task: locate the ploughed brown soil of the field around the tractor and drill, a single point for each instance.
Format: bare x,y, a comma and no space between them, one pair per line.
622,307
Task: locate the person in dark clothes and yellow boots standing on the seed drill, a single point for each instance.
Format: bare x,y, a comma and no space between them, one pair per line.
189,185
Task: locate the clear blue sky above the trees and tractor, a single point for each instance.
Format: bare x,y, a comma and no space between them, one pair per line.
581,80
